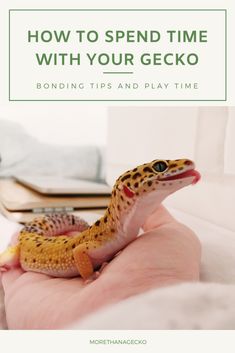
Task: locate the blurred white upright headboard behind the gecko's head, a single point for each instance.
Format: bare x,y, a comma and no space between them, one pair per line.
205,134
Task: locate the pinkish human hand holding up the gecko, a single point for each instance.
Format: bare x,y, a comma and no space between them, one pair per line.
166,254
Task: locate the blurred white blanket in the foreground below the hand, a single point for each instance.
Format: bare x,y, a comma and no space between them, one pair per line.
185,306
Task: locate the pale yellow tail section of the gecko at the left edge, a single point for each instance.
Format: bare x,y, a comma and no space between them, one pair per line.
10,258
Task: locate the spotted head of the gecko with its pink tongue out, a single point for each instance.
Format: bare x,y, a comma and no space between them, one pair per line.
166,176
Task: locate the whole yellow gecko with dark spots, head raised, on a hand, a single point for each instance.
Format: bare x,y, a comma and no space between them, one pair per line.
48,244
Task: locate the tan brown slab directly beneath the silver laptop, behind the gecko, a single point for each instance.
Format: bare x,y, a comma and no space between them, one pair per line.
16,197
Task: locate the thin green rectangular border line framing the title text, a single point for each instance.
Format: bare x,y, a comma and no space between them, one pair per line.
118,100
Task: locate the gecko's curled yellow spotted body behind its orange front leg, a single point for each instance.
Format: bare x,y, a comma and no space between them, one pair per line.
44,249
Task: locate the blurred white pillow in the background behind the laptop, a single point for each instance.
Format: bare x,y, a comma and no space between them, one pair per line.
22,154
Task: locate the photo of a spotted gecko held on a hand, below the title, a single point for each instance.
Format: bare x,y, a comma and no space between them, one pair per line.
152,251
